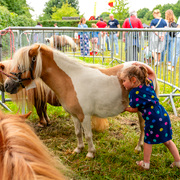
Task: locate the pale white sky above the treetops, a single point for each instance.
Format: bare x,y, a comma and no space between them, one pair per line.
86,7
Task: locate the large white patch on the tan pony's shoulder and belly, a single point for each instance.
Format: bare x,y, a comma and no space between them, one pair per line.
97,93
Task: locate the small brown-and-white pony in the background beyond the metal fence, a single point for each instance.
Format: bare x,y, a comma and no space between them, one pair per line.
60,42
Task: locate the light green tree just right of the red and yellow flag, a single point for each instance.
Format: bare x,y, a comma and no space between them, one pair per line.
121,10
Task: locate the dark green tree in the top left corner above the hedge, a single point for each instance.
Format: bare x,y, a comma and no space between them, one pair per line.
19,7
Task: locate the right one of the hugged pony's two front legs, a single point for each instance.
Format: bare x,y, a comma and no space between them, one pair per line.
88,135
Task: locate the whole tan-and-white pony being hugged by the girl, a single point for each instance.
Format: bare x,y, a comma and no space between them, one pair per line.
82,89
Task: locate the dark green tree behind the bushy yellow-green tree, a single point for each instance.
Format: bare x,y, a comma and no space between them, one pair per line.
58,4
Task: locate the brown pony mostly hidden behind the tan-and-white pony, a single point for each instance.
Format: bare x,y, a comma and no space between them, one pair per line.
39,97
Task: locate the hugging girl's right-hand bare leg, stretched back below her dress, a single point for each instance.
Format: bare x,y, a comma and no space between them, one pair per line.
173,149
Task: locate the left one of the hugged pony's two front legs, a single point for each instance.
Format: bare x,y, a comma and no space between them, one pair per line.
79,134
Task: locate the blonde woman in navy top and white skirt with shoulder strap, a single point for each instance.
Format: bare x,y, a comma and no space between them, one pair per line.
157,43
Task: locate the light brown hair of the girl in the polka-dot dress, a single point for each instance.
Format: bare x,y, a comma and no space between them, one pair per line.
139,72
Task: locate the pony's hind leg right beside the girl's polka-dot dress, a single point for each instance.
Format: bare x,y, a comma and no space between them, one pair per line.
141,138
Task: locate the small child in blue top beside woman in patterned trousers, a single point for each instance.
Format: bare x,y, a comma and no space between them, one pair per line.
94,40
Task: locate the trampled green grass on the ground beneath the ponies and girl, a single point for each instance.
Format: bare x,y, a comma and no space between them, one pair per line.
115,157
